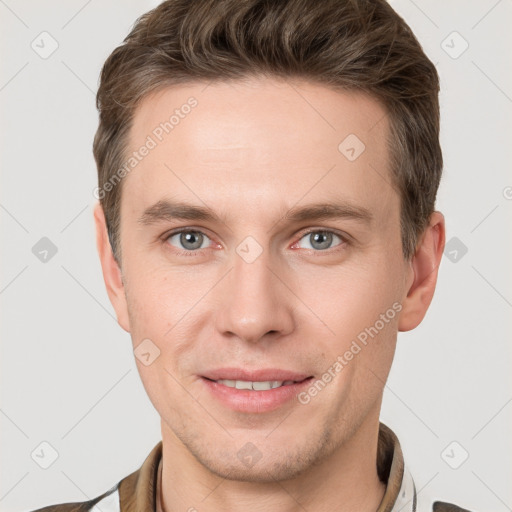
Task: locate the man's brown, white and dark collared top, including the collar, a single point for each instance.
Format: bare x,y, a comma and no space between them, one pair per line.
138,491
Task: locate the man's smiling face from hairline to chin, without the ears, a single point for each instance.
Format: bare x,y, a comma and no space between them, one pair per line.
247,288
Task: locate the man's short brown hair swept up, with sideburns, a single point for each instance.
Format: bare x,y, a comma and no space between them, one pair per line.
361,45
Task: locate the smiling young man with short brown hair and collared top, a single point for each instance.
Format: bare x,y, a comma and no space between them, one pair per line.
266,225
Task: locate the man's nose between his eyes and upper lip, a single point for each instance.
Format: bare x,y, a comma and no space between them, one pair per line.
255,301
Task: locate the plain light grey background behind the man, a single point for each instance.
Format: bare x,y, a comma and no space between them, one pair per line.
68,372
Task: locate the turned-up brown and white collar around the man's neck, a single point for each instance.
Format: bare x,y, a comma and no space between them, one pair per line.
138,491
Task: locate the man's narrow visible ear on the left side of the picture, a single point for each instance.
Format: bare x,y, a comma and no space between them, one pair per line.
112,274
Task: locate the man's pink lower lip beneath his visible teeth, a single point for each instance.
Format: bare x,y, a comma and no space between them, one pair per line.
244,400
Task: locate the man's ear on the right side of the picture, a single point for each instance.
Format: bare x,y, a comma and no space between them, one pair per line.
424,266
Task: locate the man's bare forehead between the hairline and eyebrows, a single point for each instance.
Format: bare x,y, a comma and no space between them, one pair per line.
262,136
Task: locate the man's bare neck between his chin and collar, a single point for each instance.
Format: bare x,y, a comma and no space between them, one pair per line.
344,481
